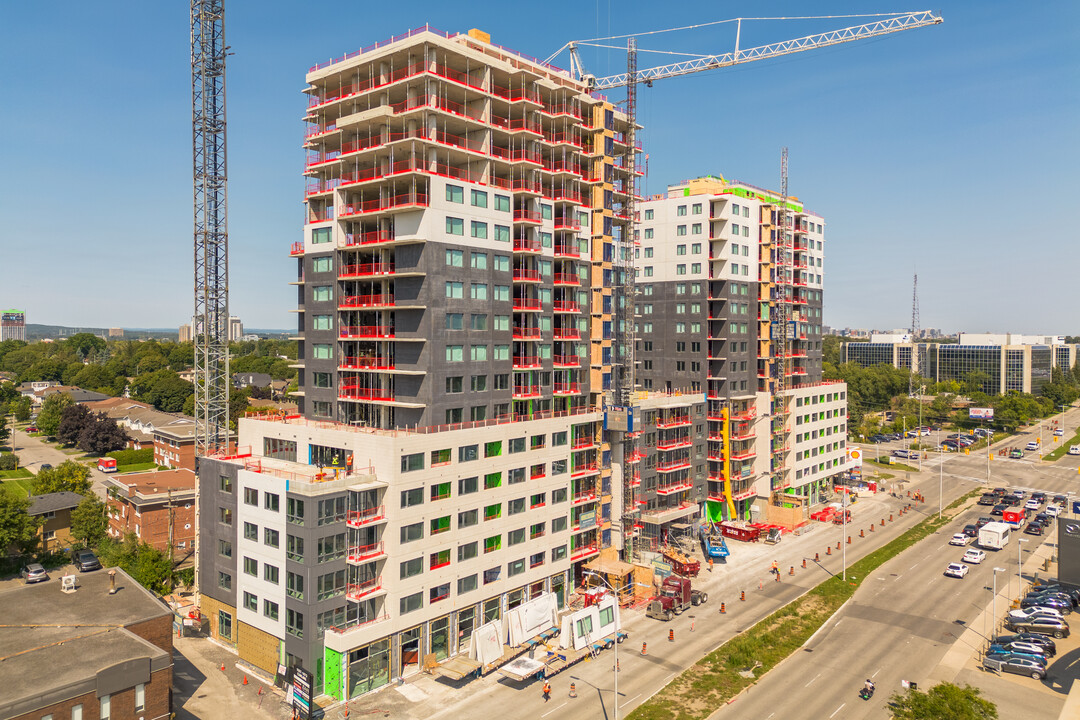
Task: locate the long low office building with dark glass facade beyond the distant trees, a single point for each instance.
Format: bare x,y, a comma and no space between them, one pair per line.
996,364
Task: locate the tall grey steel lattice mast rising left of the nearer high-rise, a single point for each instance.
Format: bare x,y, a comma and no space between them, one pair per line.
211,332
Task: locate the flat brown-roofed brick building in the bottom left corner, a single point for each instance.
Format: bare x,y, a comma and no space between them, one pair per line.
88,654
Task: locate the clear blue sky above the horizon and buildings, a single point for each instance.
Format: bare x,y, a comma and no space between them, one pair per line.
952,151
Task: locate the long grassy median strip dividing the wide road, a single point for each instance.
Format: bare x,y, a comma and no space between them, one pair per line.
707,686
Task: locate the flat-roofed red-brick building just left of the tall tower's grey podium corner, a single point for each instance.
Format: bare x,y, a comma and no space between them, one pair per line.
147,504
